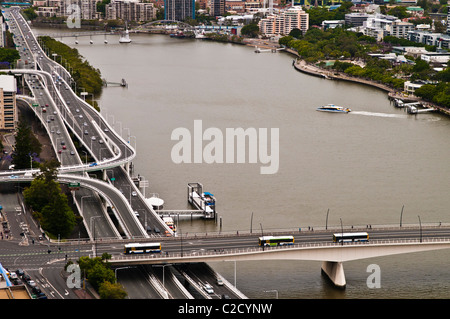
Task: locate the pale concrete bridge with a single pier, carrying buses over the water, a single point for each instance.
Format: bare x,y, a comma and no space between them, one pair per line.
389,241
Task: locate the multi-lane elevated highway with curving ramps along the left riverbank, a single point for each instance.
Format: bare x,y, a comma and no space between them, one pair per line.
109,150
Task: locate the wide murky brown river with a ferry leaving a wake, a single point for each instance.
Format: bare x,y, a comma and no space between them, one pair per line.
363,166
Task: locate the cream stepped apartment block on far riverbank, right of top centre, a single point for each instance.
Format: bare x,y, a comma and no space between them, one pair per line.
285,22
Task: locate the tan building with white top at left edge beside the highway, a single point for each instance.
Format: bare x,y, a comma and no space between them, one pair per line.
8,108
